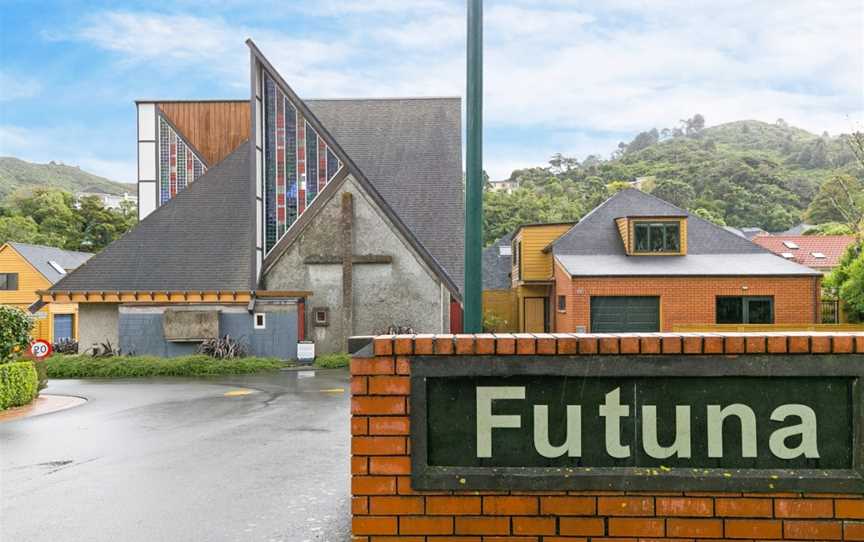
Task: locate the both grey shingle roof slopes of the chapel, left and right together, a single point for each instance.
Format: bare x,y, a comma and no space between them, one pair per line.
409,149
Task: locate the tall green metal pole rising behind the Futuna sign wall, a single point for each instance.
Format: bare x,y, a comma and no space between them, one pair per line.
474,172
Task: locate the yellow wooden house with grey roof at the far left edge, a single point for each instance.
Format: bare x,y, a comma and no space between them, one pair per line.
26,269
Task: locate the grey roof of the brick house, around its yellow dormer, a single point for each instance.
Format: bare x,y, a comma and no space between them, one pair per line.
594,246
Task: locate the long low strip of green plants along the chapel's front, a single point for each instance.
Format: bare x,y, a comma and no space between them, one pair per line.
83,366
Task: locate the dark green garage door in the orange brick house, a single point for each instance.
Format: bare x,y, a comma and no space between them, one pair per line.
625,314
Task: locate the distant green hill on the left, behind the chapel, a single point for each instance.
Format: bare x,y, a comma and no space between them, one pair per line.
18,174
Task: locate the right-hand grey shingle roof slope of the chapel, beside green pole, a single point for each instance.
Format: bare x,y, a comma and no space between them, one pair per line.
411,151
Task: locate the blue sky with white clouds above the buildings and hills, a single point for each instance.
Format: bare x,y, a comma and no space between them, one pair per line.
567,76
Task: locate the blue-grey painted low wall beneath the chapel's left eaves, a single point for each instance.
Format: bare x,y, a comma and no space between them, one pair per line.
141,331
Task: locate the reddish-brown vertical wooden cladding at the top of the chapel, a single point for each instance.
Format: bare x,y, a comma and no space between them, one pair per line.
213,128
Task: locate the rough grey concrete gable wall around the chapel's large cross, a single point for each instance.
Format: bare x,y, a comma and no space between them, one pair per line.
402,293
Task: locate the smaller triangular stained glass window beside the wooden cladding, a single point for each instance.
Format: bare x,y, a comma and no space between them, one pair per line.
178,164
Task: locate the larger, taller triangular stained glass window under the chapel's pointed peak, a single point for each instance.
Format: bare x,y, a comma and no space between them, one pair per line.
298,164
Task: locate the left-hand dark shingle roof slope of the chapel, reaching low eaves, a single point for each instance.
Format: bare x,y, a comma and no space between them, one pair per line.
200,240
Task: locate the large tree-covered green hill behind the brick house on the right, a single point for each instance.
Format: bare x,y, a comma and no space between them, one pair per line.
743,173
